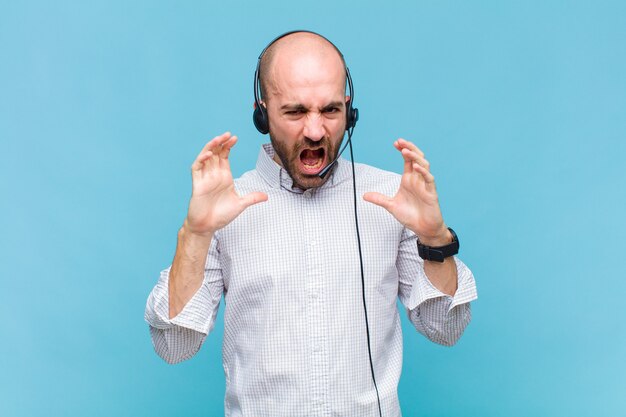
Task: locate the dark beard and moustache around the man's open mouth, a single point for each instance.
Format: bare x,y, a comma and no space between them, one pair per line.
291,157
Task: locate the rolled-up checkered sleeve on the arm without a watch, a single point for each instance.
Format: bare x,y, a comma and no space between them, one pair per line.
180,337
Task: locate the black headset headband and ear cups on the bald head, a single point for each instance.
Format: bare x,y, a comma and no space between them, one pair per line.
259,117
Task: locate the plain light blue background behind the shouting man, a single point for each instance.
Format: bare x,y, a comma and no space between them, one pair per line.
519,106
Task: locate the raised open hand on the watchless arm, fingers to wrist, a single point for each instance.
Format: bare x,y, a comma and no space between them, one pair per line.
214,202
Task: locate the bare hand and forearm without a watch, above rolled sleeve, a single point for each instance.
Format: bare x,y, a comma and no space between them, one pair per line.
214,203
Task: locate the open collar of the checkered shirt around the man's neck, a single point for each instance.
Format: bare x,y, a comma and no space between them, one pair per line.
277,177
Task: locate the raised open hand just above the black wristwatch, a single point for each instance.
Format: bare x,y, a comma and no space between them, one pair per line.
416,204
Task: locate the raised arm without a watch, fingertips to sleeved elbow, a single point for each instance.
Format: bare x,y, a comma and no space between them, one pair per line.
182,307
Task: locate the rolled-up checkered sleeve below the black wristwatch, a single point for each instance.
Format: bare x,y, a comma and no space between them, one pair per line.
440,317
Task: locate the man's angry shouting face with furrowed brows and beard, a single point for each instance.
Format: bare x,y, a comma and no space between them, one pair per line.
307,115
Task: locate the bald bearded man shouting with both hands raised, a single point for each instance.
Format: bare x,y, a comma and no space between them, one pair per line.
280,244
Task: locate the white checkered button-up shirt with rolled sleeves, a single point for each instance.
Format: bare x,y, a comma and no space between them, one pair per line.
294,338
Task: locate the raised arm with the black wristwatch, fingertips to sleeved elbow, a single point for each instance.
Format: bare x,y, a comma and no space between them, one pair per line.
428,289
